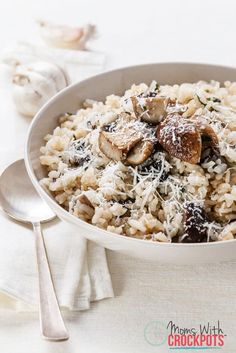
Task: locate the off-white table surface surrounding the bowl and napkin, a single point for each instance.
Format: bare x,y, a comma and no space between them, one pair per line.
131,33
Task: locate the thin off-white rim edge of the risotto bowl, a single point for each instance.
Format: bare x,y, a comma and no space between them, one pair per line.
75,219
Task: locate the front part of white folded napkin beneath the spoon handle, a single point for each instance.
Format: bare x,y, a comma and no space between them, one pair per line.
79,268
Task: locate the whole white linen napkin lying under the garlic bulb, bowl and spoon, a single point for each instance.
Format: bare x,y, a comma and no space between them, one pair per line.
79,267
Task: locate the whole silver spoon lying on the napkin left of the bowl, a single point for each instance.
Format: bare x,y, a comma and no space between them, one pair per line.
20,201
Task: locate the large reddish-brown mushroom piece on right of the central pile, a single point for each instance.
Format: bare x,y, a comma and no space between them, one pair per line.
180,138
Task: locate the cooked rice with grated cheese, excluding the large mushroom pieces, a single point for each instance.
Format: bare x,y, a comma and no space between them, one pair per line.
138,202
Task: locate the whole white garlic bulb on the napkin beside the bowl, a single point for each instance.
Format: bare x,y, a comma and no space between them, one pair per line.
34,84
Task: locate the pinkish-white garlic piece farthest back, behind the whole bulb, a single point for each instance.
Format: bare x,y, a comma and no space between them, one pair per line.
67,37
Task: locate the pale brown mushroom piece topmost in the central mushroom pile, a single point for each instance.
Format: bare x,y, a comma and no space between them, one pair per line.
150,109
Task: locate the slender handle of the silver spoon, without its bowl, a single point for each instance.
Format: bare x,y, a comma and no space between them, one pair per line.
51,322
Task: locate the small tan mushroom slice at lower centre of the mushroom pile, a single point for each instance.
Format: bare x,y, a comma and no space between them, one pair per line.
140,152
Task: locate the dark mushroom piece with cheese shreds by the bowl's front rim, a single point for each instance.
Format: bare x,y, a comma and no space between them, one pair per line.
195,224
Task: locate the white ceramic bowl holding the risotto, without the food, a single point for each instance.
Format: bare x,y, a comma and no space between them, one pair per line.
98,88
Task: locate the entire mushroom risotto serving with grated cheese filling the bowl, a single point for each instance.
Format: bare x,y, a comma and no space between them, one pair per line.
158,163
